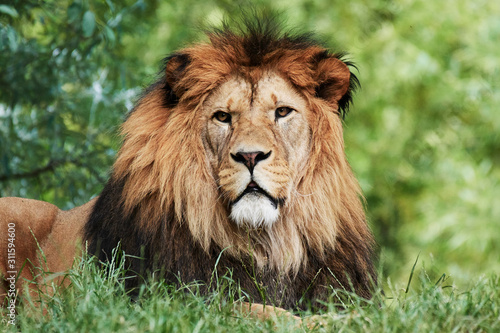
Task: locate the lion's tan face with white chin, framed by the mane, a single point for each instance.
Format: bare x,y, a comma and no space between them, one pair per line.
257,139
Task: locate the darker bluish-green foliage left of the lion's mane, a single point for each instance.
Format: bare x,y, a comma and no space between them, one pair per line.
63,74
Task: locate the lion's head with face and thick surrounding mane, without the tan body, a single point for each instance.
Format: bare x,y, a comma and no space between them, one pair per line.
241,144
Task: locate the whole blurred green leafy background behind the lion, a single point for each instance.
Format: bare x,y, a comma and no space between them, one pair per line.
423,136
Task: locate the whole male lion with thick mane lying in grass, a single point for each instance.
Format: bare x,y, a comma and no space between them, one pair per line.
234,161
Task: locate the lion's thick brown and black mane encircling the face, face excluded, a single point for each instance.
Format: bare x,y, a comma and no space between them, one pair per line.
162,202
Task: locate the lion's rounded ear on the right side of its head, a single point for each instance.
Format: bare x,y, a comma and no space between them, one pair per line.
335,82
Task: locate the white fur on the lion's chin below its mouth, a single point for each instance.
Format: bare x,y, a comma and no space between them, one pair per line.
254,211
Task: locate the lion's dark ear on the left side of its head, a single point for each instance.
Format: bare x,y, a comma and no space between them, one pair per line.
174,70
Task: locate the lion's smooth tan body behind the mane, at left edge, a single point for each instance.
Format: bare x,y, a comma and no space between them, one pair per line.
36,227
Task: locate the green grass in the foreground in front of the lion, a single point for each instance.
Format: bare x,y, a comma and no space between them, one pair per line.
98,302
